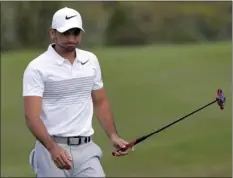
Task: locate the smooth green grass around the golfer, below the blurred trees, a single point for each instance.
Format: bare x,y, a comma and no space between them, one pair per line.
147,88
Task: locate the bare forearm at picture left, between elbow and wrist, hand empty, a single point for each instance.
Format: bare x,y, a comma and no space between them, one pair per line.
38,129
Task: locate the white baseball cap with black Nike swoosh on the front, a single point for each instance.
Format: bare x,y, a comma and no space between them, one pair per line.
65,19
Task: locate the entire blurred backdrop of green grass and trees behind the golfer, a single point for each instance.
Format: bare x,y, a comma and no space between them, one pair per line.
170,60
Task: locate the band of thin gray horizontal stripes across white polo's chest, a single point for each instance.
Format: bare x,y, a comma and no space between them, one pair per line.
71,91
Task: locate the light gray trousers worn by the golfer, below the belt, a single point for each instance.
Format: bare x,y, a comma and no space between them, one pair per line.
85,158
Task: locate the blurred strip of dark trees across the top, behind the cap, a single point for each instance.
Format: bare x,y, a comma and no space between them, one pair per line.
26,24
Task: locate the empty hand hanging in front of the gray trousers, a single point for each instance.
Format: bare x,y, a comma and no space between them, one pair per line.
61,157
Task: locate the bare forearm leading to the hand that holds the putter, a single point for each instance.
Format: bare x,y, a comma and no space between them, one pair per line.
105,117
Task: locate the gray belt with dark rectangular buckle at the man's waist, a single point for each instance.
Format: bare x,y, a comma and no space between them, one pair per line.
76,140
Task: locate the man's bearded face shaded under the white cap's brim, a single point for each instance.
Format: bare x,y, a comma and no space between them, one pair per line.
68,40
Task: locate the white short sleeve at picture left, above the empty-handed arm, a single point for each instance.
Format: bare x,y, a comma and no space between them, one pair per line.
33,84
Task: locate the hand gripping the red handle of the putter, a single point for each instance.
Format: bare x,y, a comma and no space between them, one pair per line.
119,143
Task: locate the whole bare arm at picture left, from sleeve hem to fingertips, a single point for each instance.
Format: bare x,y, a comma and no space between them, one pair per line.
32,105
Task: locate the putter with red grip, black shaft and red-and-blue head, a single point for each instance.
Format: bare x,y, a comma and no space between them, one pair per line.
220,99
